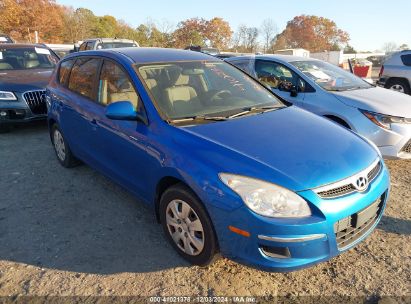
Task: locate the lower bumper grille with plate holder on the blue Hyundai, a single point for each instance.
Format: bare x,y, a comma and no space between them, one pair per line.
353,227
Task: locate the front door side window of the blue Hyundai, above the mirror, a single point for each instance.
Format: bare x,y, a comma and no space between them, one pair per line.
114,85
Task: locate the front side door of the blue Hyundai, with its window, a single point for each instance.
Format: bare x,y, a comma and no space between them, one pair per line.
122,144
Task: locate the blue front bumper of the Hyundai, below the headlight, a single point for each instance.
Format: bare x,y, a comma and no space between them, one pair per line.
290,244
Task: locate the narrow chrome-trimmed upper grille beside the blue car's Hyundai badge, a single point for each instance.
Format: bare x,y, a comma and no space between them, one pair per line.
347,186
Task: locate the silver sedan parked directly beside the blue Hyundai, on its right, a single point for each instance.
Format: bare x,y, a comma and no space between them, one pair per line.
382,116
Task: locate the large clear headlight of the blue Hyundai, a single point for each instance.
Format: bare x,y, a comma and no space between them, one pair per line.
265,198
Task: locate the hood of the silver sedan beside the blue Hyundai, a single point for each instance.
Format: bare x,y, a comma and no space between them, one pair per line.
377,100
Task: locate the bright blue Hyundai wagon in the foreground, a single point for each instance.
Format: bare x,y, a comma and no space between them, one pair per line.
226,165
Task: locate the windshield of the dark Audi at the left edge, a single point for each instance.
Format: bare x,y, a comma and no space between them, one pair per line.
26,58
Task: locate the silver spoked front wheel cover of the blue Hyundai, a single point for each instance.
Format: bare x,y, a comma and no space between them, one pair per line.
185,227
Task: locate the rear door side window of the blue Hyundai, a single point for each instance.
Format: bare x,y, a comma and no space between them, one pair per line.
83,76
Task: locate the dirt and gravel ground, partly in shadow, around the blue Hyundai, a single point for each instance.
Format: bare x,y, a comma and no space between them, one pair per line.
74,232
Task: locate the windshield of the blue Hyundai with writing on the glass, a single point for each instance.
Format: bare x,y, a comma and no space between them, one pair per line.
209,89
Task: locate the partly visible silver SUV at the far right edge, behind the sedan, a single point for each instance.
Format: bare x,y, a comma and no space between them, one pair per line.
395,73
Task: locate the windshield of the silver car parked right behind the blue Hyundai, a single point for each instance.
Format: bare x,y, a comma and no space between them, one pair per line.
330,77
